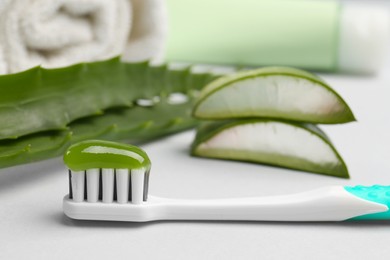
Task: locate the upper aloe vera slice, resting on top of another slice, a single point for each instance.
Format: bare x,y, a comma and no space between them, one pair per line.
272,92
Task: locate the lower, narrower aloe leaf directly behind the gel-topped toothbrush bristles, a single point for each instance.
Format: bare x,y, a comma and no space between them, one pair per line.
136,125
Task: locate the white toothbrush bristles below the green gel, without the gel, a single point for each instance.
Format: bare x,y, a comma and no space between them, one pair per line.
109,185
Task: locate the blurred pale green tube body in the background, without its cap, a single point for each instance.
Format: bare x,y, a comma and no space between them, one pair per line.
254,32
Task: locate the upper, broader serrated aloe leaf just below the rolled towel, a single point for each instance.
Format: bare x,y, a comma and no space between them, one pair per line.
48,99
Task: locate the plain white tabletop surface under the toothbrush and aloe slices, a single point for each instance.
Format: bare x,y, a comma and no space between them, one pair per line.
32,225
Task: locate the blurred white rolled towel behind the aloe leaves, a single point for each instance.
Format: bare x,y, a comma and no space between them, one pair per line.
56,33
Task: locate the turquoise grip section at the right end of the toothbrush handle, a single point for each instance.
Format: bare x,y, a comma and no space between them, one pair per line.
377,193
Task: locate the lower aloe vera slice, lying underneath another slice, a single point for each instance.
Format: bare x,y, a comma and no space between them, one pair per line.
281,143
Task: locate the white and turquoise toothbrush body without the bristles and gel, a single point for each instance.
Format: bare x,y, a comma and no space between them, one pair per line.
327,204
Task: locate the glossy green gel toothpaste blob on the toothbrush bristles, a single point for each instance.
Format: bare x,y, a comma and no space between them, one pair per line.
104,154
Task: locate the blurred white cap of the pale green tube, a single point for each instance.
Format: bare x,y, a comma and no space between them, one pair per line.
364,38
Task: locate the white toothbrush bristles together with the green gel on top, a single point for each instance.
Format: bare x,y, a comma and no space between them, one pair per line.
107,171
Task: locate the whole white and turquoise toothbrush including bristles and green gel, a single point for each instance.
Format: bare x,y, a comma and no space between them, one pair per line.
109,181
